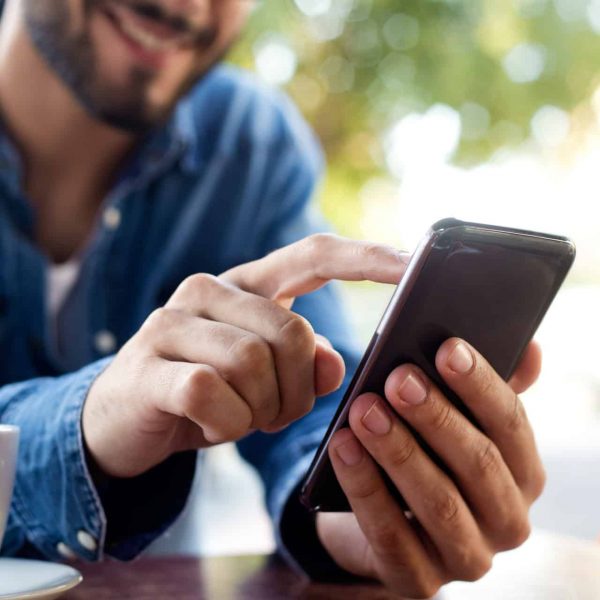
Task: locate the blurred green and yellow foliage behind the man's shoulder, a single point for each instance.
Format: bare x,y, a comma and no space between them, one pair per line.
364,64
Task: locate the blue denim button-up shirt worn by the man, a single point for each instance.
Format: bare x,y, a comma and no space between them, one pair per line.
227,180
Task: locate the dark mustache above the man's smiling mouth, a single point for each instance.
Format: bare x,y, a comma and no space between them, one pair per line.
204,35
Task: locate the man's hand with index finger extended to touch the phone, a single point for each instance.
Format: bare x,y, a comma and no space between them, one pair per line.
225,356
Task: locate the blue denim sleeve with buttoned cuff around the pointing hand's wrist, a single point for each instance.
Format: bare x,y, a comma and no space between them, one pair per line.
57,509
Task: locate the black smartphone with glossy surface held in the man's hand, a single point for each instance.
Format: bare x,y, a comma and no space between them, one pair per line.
488,285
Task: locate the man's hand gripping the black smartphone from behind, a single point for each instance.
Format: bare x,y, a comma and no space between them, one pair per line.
458,521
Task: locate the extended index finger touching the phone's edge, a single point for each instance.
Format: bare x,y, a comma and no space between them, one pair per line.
309,264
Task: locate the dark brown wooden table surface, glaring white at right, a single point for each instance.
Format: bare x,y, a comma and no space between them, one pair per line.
547,567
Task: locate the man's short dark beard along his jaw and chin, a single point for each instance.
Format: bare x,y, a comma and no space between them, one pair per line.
72,58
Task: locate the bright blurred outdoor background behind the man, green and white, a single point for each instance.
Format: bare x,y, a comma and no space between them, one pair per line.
486,111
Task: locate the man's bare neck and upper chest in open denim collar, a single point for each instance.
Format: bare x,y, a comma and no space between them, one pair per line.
70,160
